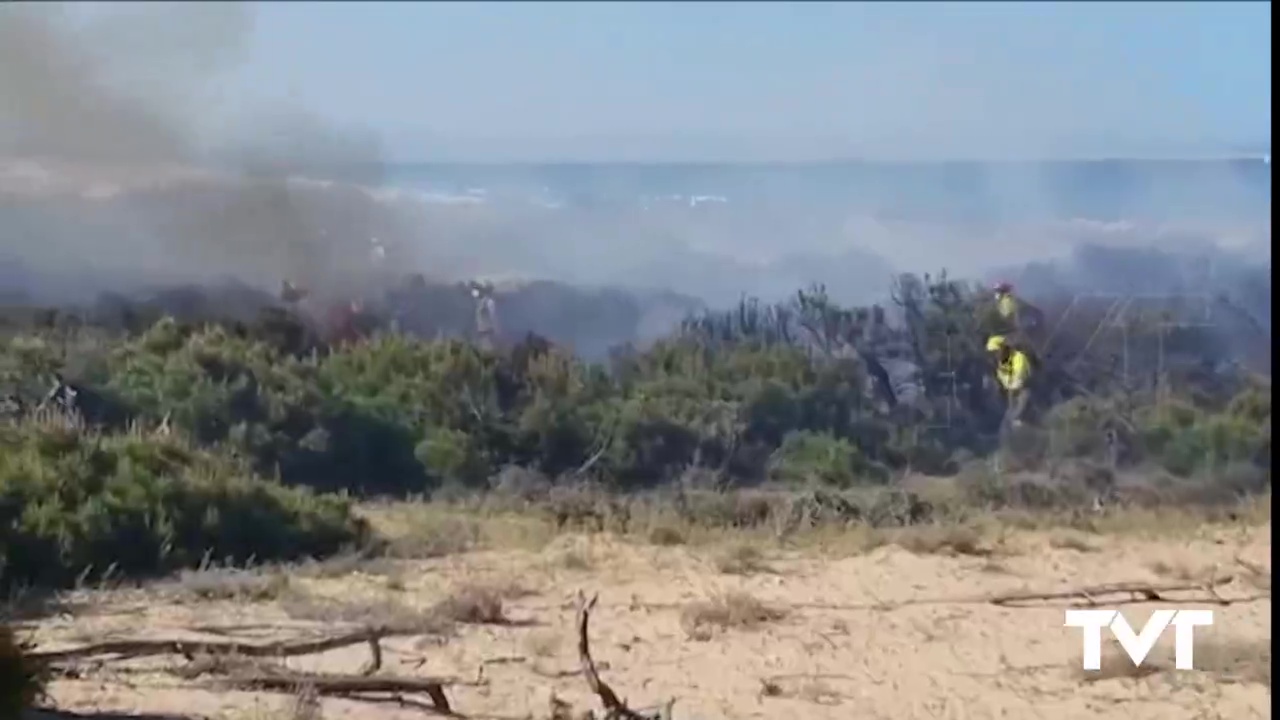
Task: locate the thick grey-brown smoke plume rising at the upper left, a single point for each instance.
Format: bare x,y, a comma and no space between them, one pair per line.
120,166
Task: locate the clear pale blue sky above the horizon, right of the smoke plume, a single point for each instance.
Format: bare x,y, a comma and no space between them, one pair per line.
756,81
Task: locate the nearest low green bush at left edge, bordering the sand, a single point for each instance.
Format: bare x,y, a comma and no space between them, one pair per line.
76,503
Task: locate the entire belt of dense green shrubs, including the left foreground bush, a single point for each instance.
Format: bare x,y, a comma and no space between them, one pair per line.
232,440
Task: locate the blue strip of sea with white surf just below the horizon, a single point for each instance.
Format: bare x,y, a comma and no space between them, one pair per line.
1105,190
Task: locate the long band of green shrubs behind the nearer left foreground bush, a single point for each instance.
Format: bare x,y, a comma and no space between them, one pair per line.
789,393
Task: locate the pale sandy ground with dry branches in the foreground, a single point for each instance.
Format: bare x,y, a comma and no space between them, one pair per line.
830,655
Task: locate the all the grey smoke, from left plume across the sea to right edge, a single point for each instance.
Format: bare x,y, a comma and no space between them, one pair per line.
122,166
